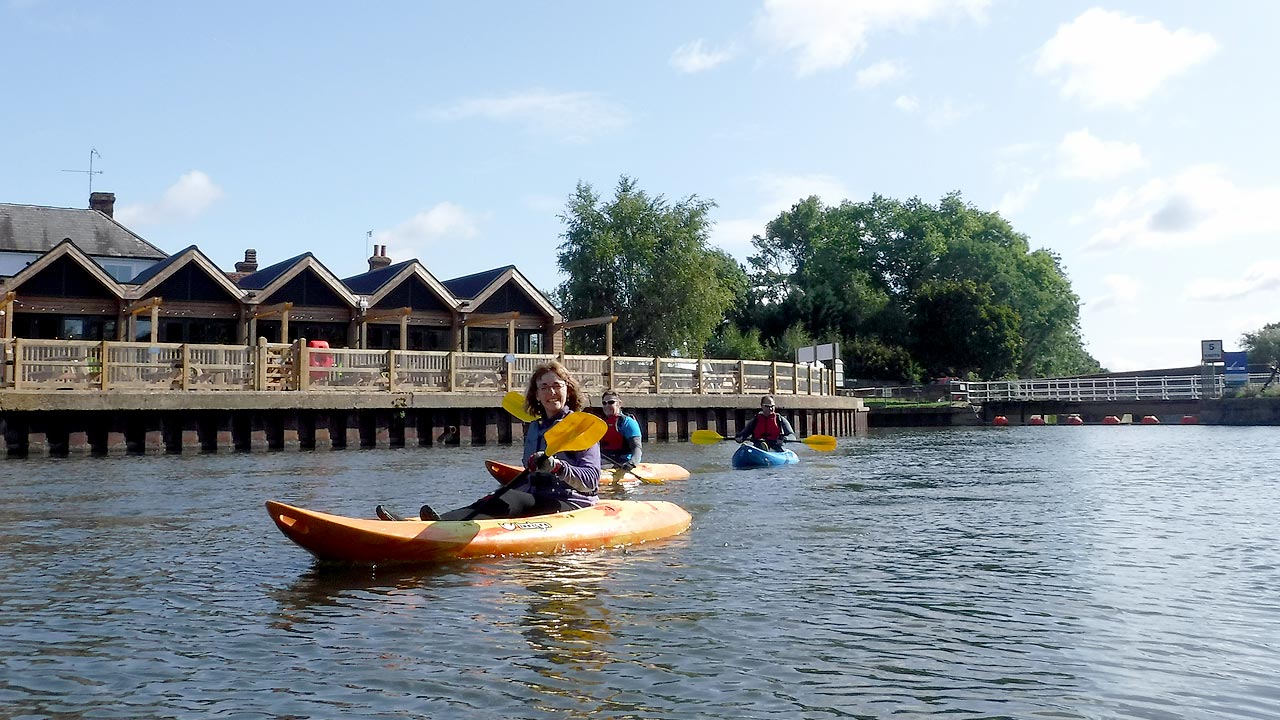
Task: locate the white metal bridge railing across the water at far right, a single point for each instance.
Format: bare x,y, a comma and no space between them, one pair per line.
1101,390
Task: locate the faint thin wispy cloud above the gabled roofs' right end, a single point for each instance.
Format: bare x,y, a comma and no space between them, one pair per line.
575,117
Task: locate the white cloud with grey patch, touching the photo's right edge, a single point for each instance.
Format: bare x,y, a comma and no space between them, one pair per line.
1197,207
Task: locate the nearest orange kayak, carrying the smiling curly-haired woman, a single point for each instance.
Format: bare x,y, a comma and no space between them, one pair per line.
611,523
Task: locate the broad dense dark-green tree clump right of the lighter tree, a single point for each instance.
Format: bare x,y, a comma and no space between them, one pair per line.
938,290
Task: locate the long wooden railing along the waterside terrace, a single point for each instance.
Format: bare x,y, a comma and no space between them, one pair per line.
88,366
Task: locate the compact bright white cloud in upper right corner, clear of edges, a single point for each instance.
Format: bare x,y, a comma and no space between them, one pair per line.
1112,60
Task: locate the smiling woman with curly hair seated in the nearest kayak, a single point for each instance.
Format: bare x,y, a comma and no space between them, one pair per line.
565,481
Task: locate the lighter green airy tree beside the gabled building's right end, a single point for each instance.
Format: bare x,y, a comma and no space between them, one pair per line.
648,263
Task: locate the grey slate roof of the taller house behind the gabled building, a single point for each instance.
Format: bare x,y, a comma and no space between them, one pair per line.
36,229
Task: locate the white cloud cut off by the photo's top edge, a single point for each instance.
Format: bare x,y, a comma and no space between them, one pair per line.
829,34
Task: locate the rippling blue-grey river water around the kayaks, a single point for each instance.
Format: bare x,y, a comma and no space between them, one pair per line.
1049,572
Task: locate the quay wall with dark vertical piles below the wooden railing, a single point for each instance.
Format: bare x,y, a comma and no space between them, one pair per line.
108,423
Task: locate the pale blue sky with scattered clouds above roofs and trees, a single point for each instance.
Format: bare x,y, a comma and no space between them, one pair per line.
1132,139
